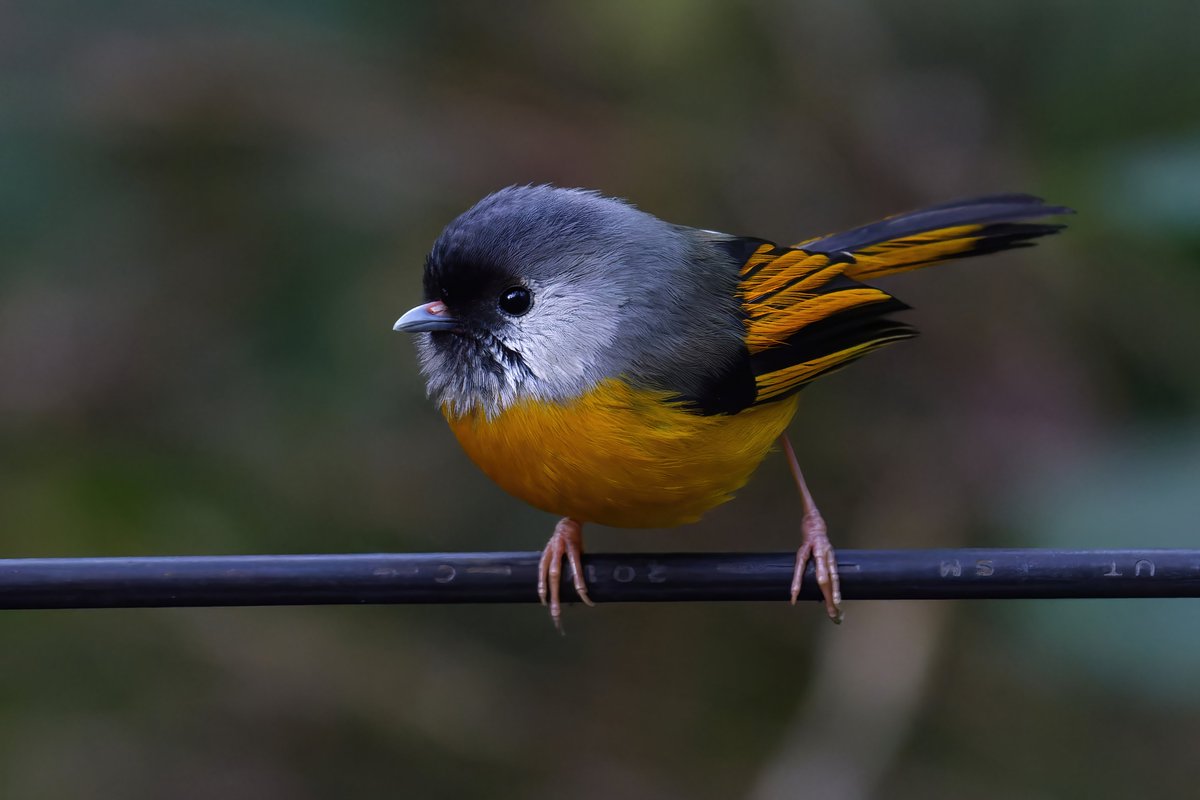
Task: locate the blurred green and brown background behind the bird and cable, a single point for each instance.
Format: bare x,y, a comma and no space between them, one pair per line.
212,214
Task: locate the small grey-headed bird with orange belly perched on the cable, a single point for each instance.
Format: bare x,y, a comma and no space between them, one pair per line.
614,369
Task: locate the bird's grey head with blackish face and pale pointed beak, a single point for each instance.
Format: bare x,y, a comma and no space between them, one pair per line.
526,296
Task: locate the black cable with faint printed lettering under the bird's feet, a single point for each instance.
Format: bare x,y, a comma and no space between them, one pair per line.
512,578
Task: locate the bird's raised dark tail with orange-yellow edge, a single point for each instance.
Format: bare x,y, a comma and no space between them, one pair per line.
909,242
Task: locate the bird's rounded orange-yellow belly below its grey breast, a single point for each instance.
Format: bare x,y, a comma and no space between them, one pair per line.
621,456
